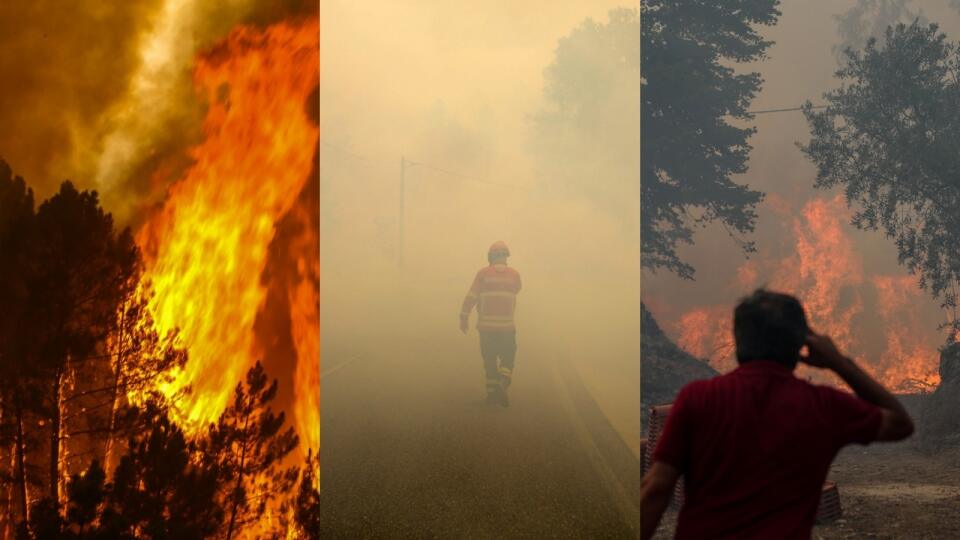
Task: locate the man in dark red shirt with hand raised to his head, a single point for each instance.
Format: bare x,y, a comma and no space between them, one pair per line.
754,446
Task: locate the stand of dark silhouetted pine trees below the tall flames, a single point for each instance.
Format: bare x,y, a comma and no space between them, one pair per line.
90,447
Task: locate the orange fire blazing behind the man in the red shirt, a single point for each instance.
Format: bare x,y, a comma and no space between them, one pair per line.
825,270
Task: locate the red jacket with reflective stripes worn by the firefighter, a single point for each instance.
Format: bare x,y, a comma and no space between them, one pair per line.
494,294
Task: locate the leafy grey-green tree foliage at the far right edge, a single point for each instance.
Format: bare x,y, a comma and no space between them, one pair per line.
889,137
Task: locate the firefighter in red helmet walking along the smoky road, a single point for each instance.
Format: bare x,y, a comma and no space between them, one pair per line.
494,294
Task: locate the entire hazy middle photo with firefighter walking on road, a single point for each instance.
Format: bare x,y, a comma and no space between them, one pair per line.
447,127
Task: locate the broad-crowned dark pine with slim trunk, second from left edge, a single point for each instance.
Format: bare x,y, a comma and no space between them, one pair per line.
82,272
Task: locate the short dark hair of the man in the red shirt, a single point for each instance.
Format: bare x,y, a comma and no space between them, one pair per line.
769,326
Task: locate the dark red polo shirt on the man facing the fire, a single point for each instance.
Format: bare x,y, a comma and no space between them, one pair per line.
754,447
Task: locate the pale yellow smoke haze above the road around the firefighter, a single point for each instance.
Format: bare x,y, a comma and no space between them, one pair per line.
459,88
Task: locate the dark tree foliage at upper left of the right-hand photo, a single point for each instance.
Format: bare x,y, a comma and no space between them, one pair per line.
690,149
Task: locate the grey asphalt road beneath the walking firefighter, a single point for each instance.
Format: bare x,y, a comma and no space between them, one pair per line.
409,450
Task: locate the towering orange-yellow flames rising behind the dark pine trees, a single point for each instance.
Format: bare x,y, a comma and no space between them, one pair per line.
206,248
